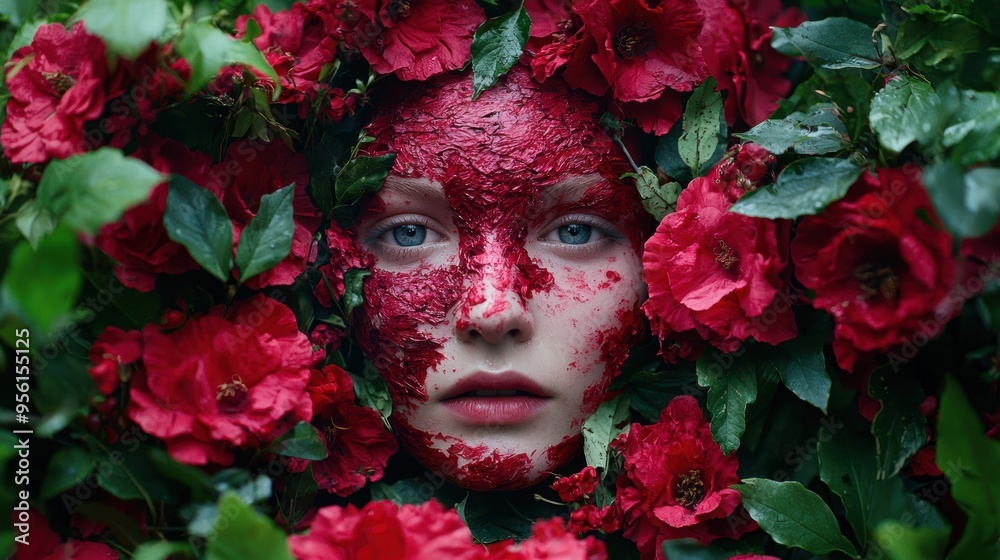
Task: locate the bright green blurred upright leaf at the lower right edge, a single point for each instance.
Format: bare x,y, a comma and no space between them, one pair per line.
970,461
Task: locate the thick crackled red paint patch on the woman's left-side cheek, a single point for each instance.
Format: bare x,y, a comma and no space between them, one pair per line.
399,307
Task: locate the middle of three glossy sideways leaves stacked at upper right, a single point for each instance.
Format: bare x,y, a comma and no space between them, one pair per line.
819,131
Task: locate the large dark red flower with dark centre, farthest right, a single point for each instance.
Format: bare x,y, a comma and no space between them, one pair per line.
880,262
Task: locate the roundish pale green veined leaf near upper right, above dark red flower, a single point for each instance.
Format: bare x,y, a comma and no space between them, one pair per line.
906,111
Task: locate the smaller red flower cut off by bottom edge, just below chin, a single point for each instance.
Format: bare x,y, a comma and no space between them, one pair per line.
550,539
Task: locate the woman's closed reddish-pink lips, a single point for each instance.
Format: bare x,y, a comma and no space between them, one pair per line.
496,399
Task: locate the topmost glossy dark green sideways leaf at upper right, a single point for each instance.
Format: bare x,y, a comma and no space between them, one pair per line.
833,43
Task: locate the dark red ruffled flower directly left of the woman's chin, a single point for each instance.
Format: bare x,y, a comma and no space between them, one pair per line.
357,440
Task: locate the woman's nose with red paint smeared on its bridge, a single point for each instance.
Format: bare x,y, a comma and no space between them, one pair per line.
493,313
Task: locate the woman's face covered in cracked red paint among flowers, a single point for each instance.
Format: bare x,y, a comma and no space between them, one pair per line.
501,304
